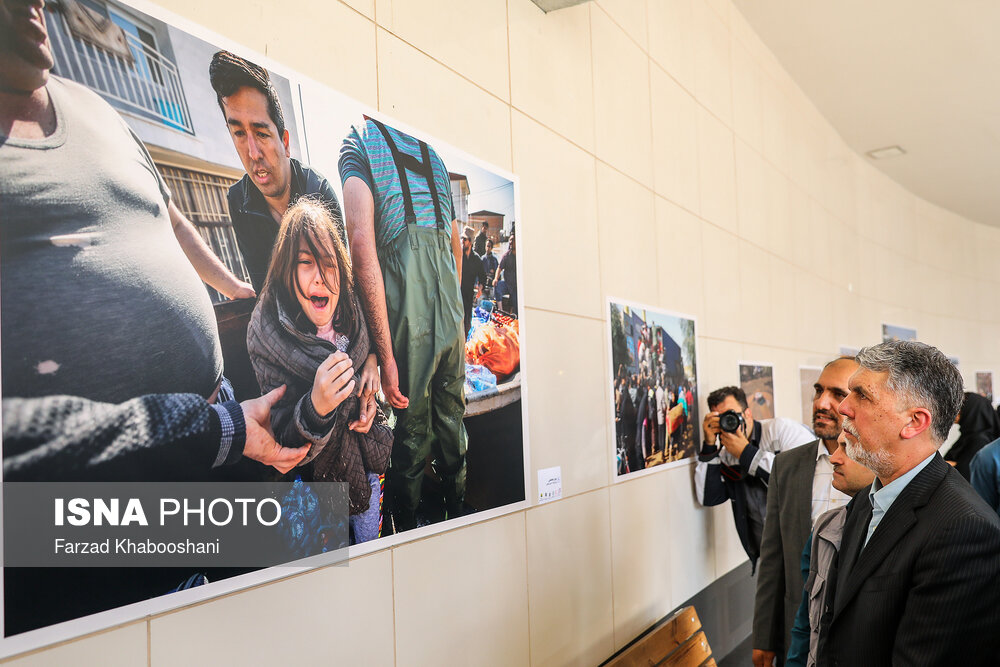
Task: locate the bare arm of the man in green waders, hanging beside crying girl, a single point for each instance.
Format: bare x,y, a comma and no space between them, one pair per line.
359,217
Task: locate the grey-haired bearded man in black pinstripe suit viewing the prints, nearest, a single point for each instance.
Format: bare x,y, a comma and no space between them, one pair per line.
916,582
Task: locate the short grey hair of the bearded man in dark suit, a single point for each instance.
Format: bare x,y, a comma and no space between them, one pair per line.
920,375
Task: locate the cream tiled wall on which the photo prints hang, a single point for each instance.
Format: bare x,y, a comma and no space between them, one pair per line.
664,157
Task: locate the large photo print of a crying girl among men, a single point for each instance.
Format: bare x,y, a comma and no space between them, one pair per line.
193,206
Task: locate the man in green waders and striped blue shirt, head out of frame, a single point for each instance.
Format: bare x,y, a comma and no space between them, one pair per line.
406,256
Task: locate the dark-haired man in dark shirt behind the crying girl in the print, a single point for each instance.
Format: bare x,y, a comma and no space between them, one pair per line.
274,179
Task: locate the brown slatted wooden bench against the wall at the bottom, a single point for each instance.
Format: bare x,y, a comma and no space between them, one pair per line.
677,641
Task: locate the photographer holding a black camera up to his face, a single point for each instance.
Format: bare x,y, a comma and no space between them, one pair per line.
739,470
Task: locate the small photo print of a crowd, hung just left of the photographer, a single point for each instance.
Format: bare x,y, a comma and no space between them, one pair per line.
654,365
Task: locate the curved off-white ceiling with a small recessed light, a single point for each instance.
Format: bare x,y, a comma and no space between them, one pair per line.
921,74
